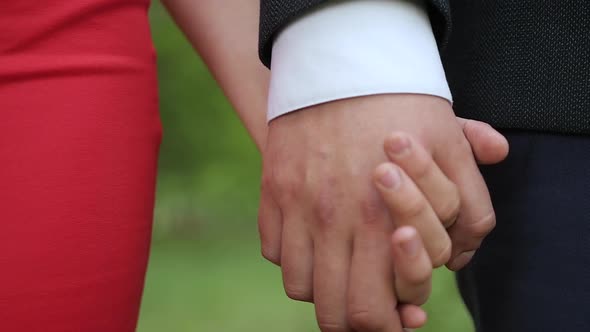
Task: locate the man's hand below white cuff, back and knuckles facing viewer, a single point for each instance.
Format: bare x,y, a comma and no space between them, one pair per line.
323,221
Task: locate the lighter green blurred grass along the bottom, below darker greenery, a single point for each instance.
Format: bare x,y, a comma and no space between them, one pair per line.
224,285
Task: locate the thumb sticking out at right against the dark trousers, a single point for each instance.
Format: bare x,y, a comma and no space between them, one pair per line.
488,145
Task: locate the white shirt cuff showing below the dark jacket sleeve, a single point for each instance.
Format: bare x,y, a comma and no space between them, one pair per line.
355,48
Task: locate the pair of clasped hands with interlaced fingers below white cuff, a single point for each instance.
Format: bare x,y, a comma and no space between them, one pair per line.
357,225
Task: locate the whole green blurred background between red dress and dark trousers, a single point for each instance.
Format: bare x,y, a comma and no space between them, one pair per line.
205,272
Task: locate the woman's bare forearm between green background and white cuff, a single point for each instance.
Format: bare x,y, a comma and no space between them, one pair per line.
225,33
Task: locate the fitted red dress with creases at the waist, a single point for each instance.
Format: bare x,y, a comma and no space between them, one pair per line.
79,137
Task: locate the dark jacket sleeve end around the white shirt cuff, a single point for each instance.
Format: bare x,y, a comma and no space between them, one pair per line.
275,14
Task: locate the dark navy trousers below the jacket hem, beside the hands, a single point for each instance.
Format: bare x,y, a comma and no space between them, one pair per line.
532,272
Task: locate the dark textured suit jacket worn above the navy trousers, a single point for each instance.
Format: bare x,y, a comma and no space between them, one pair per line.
520,64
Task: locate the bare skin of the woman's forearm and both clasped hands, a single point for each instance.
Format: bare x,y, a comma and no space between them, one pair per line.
324,216
